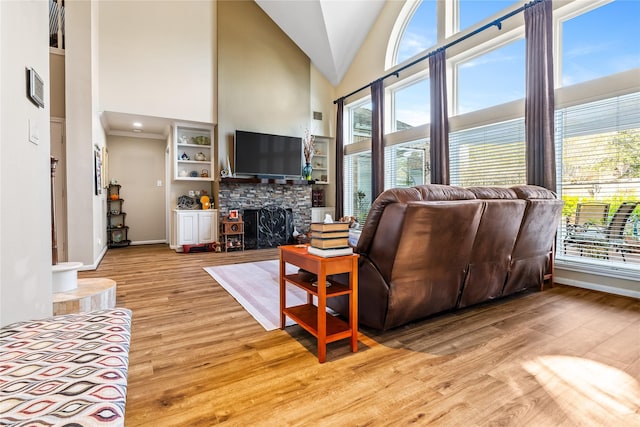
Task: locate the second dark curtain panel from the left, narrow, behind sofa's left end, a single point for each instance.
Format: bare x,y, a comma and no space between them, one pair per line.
377,138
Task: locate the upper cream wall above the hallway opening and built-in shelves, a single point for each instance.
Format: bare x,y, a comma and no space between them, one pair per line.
158,58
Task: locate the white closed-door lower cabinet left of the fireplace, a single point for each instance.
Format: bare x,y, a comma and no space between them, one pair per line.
196,227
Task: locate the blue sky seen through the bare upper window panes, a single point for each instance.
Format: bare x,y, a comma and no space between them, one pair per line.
595,44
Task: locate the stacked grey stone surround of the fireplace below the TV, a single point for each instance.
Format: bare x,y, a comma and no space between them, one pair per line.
294,198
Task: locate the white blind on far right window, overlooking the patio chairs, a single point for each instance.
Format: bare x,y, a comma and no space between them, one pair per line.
600,178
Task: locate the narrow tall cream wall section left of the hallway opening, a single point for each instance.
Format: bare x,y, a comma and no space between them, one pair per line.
85,209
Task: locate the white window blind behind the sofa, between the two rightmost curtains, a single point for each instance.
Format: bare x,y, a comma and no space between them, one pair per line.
492,155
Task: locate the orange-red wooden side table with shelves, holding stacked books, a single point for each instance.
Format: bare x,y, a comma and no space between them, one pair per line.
314,318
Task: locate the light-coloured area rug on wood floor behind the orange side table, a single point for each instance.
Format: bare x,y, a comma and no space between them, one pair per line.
255,285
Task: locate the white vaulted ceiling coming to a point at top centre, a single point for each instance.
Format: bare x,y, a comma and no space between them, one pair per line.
329,32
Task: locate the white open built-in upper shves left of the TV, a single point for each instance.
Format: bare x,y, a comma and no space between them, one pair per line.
193,153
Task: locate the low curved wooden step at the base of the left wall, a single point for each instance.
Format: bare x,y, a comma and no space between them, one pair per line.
90,294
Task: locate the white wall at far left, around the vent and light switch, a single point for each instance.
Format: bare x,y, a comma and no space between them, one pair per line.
25,220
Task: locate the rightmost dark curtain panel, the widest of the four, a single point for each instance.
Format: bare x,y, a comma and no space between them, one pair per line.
539,105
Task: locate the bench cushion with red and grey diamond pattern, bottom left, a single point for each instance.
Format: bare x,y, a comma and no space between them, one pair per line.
66,370
